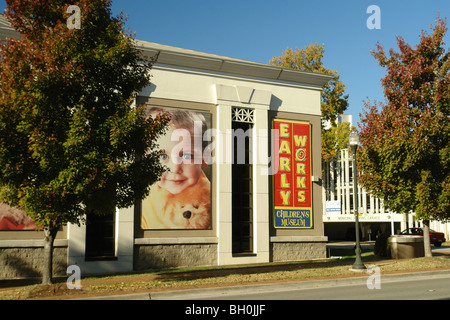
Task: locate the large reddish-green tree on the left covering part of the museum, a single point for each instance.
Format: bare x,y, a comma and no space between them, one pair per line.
70,142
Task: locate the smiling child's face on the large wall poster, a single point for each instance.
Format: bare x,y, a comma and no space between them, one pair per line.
184,163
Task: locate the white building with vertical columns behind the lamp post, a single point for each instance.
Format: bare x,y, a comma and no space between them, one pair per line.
374,217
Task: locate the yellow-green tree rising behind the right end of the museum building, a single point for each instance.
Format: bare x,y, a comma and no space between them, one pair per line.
334,101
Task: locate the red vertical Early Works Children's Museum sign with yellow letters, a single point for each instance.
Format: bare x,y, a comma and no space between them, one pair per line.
292,181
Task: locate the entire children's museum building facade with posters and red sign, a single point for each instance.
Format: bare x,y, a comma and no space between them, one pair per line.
248,192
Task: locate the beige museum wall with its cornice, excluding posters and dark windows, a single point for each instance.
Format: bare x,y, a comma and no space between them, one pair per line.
189,79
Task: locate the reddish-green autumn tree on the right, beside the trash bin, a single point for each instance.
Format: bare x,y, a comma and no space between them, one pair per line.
405,154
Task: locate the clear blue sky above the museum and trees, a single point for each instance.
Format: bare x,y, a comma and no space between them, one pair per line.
257,30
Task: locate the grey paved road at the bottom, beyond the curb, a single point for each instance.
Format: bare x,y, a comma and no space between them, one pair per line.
419,286
